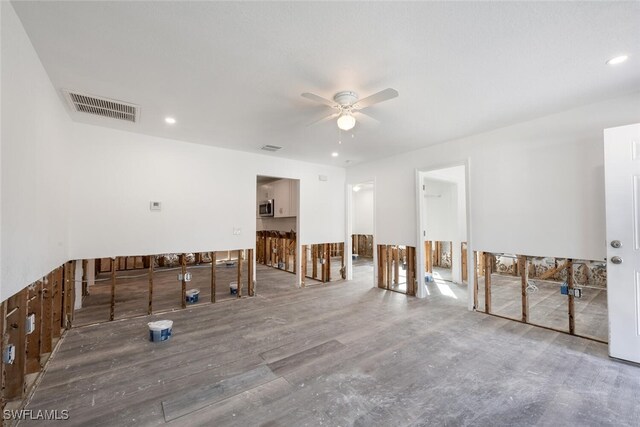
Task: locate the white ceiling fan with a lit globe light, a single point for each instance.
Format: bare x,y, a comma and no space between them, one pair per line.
347,105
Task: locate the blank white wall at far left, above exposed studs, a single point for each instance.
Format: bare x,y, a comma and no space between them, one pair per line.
35,129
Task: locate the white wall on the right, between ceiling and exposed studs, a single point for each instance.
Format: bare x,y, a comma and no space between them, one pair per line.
536,188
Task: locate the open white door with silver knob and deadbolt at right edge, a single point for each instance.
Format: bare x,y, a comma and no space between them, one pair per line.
622,188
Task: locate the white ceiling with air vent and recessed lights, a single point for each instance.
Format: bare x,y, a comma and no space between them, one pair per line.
231,73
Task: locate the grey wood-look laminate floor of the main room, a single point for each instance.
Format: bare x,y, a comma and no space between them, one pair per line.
339,354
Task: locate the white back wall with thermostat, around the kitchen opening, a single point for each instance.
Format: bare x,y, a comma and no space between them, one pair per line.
205,192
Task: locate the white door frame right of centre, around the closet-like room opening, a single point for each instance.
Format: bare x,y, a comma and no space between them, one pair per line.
420,174
